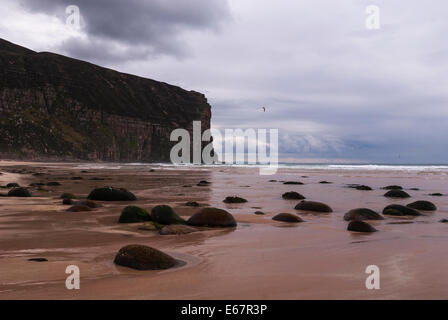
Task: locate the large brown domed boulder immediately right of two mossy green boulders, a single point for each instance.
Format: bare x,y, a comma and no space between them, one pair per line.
212,217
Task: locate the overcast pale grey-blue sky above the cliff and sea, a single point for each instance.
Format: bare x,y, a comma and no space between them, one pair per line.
336,90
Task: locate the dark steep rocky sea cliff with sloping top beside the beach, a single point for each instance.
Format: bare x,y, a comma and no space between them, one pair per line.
54,107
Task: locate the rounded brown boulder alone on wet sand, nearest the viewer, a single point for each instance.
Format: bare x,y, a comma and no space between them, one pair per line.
143,258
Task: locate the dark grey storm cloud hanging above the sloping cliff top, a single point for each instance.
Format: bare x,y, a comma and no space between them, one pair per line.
140,28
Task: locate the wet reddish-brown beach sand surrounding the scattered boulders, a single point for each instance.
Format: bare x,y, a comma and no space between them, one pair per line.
260,259
